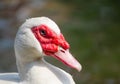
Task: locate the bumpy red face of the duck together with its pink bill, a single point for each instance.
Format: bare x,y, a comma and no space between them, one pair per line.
55,45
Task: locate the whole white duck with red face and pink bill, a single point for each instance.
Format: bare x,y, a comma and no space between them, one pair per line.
36,38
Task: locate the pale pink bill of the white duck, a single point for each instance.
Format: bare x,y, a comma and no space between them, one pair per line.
66,57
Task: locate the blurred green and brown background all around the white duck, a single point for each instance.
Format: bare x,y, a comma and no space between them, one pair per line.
92,27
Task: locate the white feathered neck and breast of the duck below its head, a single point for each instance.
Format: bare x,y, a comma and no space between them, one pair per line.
41,72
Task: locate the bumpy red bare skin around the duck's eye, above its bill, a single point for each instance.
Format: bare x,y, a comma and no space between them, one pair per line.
50,42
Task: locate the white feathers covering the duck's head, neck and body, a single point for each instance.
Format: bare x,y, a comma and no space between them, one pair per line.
32,67
